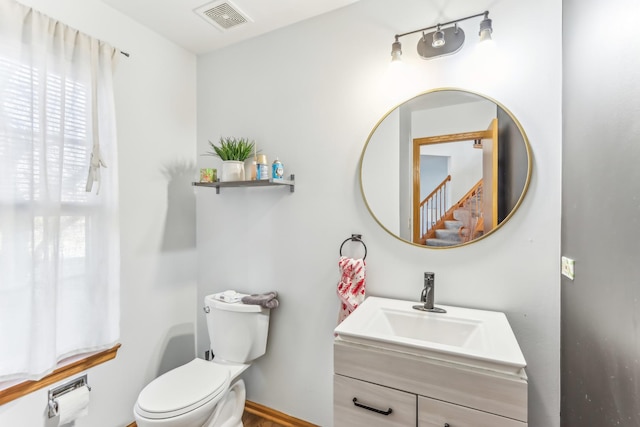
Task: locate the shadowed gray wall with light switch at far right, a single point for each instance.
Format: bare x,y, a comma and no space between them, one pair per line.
600,347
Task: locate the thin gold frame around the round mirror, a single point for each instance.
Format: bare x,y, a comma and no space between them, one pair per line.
515,121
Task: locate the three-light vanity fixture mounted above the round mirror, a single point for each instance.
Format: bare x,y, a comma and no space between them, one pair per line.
447,38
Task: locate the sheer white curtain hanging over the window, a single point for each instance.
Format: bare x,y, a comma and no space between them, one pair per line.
59,246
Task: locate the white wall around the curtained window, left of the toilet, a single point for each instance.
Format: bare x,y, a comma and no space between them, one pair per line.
155,97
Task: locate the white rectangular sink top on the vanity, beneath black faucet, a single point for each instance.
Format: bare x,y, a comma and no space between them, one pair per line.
461,335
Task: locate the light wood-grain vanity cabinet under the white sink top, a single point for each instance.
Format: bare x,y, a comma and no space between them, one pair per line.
395,388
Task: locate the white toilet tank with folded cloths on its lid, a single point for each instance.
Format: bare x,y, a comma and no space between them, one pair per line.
237,332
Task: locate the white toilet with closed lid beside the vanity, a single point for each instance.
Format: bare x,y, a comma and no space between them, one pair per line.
206,393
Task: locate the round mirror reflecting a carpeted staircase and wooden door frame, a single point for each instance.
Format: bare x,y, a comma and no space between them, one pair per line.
445,168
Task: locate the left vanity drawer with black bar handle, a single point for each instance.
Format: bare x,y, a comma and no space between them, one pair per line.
347,414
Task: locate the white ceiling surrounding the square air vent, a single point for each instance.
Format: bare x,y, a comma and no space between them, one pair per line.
176,20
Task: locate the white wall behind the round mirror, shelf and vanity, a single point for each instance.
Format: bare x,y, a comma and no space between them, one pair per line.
310,94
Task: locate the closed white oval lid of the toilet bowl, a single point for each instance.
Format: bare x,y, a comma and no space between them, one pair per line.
183,389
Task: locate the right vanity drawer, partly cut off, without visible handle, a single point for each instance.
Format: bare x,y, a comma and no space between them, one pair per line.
436,413
